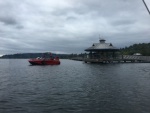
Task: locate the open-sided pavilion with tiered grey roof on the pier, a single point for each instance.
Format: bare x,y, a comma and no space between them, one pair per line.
101,52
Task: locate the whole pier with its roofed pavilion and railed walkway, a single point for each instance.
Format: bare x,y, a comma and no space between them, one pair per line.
106,53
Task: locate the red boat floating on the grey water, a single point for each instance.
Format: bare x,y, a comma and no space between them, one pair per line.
44,61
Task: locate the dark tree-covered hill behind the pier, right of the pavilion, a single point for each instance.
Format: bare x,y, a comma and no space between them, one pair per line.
143,48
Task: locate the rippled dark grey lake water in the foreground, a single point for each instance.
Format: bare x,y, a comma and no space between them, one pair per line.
74,87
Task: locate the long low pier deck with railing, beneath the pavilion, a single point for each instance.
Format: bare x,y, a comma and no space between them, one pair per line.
120,59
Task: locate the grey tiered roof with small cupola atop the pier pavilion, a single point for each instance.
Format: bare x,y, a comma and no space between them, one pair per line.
102,46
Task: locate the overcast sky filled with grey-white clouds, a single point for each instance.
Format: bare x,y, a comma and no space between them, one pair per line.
71,26
